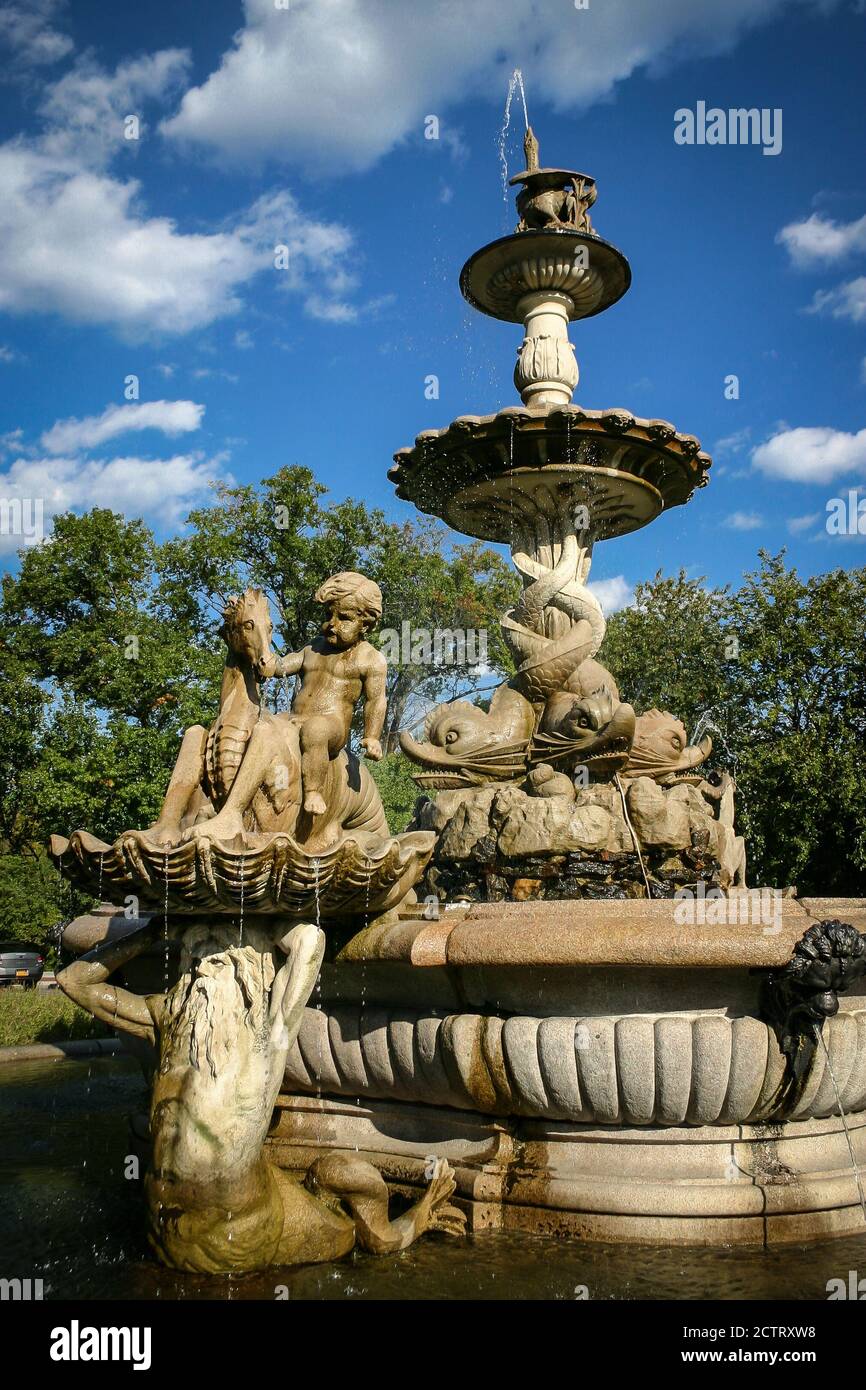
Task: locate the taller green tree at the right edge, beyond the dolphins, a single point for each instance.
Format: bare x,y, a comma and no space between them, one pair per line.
799,726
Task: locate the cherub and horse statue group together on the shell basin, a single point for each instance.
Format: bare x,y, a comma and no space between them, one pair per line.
254,769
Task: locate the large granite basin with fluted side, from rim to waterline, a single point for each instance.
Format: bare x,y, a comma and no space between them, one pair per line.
589,1068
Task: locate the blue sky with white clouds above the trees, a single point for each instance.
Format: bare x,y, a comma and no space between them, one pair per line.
263,126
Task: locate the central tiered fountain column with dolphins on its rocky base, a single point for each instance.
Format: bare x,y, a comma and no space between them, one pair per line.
551,480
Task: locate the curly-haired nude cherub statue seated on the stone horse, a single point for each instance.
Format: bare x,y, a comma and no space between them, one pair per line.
336,671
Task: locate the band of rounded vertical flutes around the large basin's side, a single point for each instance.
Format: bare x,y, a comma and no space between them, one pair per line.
630,1071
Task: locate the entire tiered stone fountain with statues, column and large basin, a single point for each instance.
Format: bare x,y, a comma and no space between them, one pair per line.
548,1042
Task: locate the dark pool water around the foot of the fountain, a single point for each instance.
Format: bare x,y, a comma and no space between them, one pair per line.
72,1218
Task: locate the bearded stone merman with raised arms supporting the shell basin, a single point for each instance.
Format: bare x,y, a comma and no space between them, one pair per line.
223,1035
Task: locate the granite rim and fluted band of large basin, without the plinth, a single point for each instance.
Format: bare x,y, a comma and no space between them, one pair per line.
635,1020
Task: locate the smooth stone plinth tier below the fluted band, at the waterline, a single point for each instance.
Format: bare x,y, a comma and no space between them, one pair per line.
705,1186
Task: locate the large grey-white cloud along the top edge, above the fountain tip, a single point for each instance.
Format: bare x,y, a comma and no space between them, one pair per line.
337,84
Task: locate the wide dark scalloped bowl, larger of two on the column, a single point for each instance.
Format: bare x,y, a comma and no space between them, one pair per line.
487,476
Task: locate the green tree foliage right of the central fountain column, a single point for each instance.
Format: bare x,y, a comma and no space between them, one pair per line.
779,668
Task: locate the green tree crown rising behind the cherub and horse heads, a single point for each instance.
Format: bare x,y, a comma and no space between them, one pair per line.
283,539
